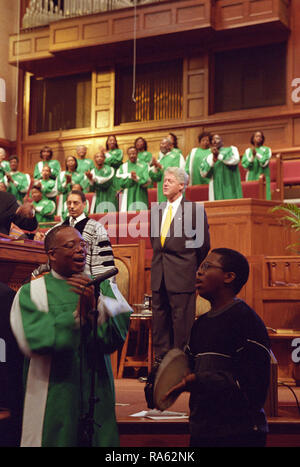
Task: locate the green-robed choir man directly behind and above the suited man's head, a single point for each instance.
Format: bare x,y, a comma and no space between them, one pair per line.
167,158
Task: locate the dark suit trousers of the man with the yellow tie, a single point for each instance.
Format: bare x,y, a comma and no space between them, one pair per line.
173,315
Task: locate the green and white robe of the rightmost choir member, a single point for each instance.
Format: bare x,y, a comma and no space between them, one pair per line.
258,165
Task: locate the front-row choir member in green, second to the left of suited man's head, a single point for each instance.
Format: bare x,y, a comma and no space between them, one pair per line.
101,180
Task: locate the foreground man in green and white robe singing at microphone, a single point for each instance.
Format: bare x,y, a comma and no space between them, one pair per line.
52,320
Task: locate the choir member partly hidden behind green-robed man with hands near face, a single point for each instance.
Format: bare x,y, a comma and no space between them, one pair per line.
194,159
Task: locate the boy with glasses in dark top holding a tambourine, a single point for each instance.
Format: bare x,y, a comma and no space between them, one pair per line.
229,360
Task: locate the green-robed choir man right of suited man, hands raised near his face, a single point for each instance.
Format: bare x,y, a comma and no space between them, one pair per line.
222,167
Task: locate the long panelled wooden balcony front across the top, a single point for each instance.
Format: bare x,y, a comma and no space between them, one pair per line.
166,26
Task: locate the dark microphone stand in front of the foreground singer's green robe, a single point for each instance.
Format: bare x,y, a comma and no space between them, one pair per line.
87,423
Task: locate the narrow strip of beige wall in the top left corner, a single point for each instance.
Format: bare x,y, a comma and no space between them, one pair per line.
8,25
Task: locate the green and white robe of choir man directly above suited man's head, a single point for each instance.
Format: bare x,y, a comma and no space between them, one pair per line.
171,159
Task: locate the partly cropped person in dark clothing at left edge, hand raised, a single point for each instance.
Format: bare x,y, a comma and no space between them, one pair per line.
11,212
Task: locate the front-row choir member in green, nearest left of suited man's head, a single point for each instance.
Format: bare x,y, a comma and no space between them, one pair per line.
133,179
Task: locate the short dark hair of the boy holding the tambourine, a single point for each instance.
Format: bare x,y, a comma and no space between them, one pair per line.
234,261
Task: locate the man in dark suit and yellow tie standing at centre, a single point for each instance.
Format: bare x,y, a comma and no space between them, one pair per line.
177,254
